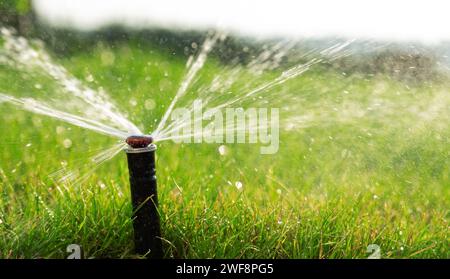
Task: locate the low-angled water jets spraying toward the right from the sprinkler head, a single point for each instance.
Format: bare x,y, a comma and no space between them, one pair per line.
267,60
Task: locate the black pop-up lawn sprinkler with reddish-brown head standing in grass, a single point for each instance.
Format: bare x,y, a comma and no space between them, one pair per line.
144,197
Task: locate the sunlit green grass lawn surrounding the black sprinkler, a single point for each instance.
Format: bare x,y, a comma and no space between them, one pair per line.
335,186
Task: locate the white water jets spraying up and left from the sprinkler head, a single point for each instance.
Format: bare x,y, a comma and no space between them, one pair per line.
95,107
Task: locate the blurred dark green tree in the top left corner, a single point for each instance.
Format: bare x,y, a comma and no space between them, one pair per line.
18,14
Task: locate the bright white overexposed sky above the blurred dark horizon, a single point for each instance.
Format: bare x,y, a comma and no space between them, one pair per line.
425,20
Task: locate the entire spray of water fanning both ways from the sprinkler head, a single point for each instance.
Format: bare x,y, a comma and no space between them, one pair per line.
95,110
